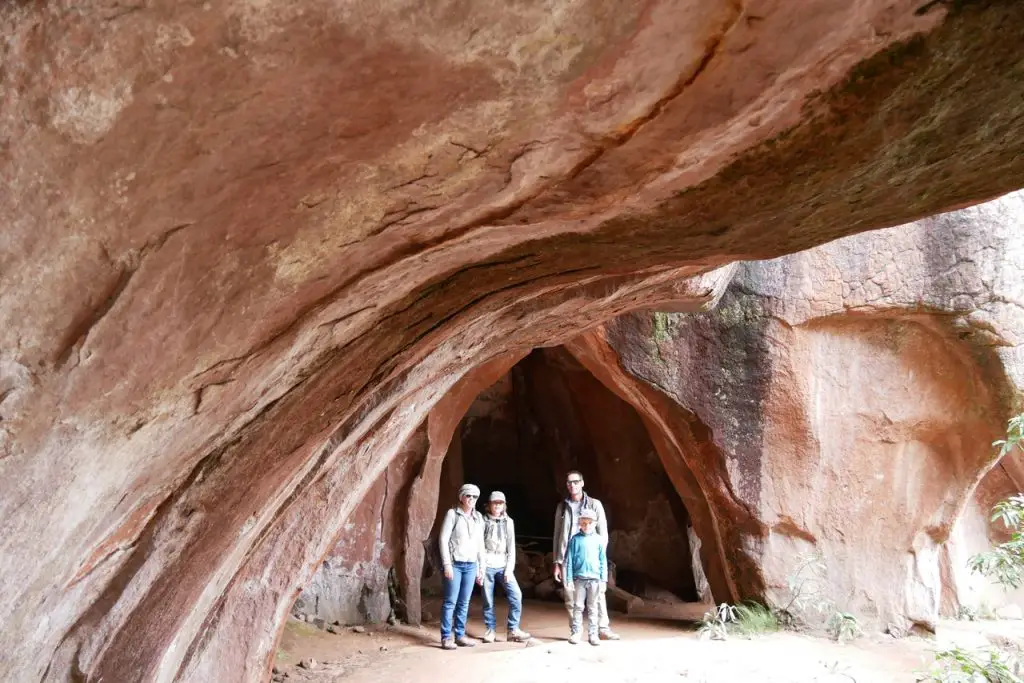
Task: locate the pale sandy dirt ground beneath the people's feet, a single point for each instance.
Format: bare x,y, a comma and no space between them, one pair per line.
652,651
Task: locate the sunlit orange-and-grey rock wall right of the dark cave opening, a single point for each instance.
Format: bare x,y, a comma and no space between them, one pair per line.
848,397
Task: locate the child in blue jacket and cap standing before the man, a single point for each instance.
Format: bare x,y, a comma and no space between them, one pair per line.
586,570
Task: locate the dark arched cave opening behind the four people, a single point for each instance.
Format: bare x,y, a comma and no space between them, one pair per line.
547,416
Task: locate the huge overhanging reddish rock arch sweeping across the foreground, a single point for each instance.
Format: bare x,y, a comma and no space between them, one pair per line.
248,246
